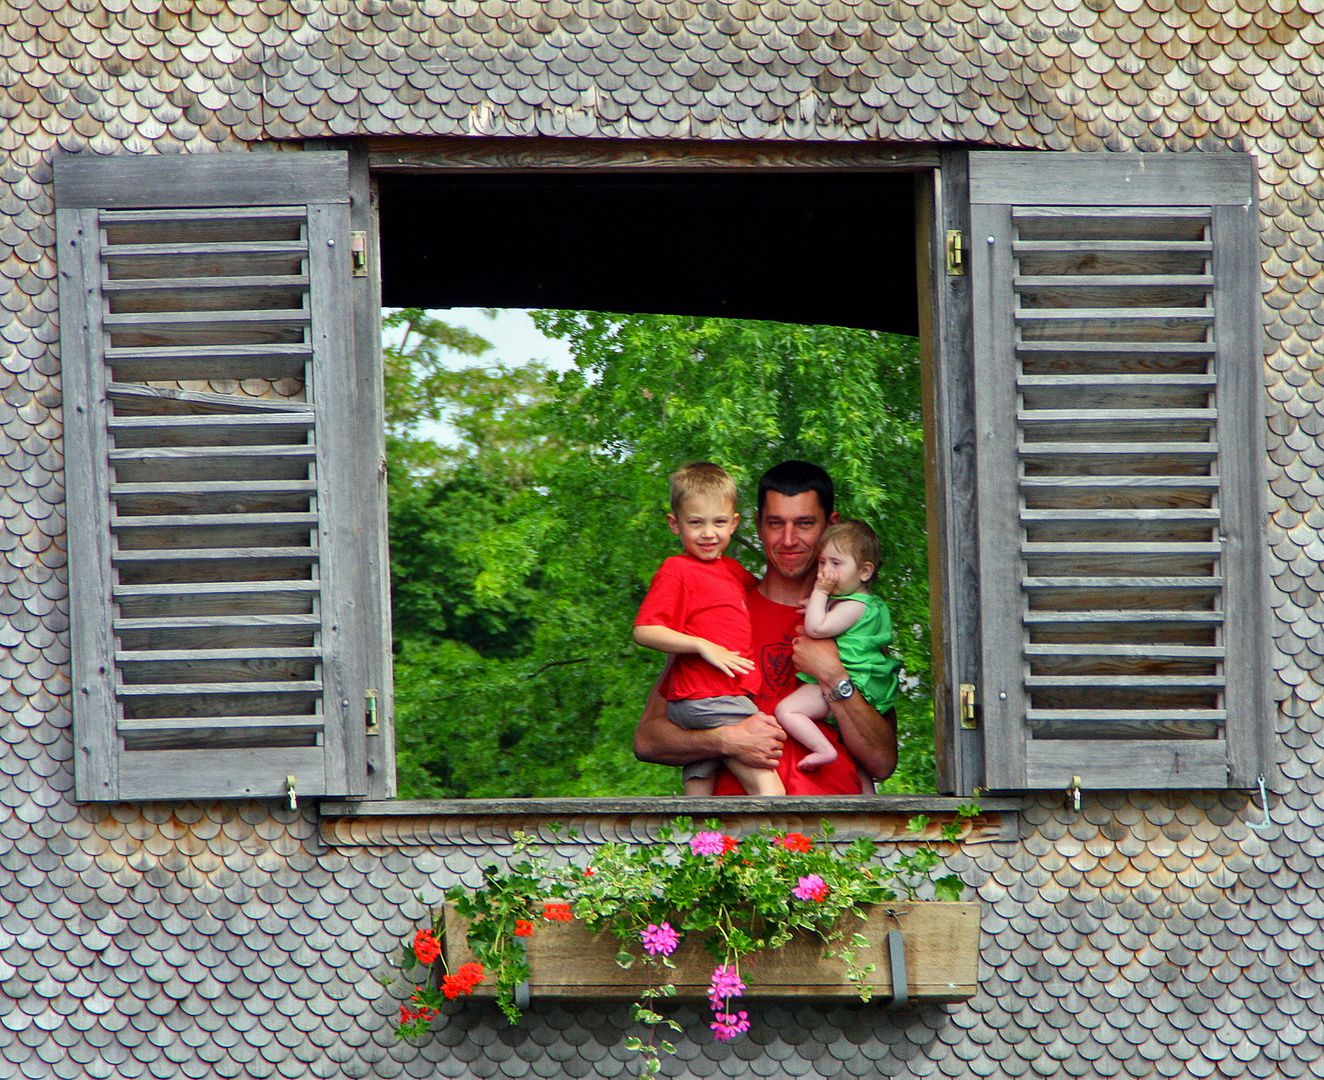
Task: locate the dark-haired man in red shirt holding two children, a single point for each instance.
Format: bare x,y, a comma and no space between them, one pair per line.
795,508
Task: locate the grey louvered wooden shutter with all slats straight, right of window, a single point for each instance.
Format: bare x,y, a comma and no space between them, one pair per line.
1118,357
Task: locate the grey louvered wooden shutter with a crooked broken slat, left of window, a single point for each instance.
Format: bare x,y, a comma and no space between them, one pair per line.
224,519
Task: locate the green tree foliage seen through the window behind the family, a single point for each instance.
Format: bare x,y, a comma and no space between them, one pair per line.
520,557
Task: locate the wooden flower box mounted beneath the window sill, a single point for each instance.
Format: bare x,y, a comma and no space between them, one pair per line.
939,942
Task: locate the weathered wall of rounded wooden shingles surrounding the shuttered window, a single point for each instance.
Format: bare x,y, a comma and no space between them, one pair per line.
1145,936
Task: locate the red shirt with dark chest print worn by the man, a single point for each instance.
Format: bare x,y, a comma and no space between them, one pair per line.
774,628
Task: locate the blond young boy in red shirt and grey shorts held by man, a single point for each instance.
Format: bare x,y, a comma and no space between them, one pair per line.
696,609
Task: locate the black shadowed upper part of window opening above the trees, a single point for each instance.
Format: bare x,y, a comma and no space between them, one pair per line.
832,249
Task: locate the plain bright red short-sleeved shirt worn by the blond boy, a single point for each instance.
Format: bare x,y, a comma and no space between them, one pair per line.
705,600
